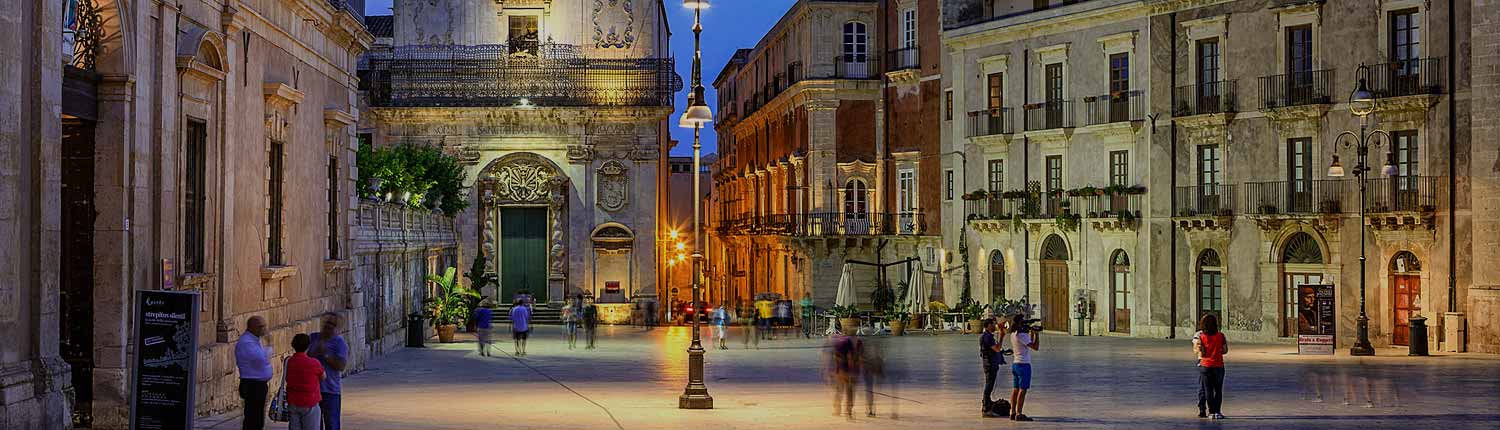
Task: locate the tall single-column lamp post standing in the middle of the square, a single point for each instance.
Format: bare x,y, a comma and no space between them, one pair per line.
698,115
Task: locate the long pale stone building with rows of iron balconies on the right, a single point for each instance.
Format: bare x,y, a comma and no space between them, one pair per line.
1178,157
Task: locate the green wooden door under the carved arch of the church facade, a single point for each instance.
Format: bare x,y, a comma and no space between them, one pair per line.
523,252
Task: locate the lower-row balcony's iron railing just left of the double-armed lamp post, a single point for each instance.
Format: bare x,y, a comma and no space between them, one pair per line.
1310,197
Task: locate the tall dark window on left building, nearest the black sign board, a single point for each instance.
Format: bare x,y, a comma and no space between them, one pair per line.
196,200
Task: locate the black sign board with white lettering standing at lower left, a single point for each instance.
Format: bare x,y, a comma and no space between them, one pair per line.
166,360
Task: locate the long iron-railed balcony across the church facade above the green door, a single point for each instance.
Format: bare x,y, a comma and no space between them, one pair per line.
502,76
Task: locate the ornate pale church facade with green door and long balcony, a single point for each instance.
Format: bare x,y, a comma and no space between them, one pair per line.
559,110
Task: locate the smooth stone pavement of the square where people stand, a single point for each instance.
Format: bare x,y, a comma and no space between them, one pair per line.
634,378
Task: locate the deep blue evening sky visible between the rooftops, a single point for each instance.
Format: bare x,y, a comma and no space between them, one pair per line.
728,26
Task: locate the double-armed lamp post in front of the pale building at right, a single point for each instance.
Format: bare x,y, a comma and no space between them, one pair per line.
1361,104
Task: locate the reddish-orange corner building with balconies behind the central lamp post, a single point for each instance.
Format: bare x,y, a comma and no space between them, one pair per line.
812,170
